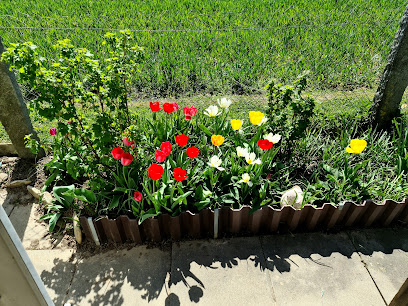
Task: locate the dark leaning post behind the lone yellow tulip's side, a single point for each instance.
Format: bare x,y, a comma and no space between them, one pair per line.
386,104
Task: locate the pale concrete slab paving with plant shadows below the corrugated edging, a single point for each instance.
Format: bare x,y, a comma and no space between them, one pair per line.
356,267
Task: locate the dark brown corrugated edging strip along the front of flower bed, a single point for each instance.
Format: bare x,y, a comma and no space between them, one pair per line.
210,223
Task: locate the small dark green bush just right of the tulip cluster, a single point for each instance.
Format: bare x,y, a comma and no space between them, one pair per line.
289,112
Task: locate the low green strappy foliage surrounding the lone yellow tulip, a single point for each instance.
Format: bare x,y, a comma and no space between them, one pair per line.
331,175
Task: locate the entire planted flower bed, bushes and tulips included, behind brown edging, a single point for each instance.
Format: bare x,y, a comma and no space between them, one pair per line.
108,159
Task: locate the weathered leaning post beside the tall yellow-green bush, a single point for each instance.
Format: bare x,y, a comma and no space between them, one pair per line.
13,111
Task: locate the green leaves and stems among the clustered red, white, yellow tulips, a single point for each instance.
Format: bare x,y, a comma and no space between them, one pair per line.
206,186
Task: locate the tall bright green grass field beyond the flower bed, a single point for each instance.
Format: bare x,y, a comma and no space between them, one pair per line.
222,47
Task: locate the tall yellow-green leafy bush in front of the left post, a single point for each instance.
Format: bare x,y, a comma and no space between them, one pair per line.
86,97
